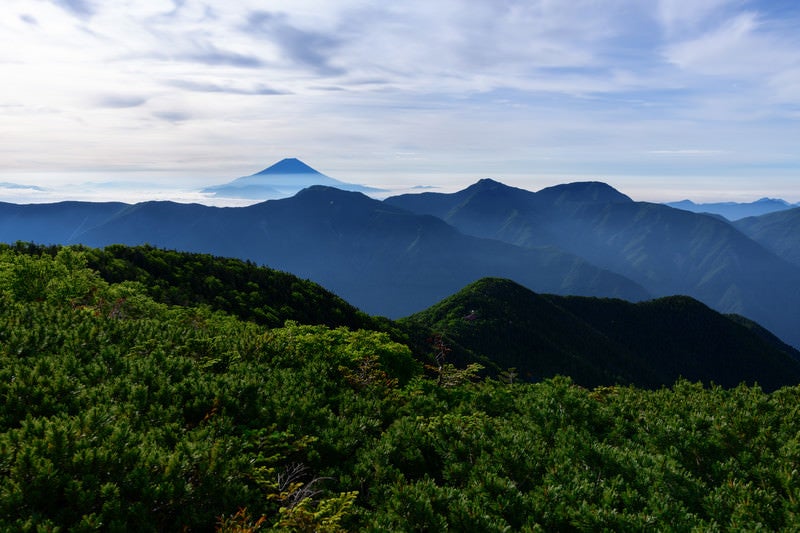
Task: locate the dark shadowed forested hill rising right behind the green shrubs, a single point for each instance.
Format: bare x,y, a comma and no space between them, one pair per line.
605,341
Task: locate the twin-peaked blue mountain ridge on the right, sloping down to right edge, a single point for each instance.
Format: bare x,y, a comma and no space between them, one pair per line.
666,250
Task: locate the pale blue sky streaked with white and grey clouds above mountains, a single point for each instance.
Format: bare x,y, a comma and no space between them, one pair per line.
155,99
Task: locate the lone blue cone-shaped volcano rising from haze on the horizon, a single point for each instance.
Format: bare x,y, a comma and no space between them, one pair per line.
285,178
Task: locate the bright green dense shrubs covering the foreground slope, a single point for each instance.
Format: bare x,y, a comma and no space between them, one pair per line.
120,412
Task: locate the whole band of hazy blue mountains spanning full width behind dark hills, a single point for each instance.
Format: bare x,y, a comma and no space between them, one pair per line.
406,253
